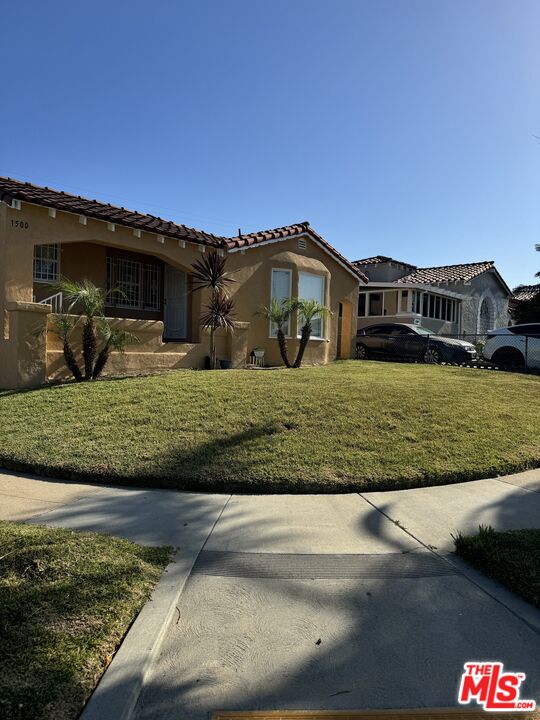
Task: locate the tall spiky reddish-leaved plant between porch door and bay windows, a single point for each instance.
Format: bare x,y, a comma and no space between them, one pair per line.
210,273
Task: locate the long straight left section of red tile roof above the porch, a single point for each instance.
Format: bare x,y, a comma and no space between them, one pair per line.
27,192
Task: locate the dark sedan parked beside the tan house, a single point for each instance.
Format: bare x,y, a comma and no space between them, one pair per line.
401,340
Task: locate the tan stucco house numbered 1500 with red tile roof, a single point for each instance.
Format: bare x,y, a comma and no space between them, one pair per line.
45,233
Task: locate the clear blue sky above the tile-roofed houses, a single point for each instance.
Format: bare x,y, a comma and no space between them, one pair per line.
398,128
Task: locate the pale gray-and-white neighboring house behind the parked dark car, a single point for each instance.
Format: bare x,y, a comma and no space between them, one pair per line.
463,299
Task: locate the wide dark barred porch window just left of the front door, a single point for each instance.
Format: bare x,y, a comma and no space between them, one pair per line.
138,284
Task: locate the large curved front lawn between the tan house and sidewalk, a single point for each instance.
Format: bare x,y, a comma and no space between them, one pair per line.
347,426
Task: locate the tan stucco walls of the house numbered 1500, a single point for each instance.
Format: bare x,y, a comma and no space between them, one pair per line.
83,255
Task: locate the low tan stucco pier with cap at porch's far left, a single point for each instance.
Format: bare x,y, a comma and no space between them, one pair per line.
25,345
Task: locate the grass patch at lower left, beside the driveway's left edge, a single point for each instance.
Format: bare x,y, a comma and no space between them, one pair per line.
66,601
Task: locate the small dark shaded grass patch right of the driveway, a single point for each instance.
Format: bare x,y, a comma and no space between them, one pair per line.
512,558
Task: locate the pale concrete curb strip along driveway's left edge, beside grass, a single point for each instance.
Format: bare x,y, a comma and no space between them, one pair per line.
117,693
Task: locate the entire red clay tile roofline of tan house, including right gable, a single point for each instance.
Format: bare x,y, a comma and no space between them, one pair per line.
27,192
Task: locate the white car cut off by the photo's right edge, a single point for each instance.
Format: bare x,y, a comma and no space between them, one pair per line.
515,346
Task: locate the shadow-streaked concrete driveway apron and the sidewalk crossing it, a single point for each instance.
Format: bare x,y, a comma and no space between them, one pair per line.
320,601
